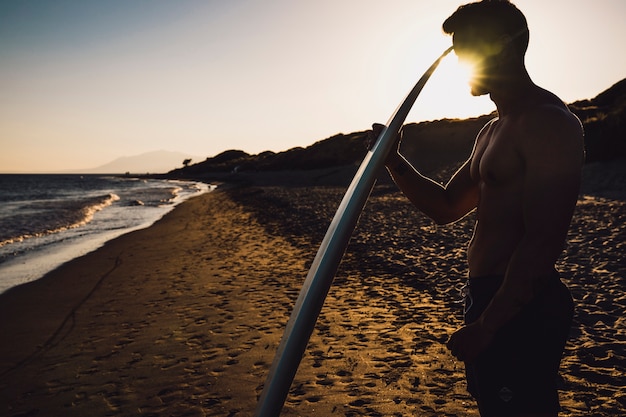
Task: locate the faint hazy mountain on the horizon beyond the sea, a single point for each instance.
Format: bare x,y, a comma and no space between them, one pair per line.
150,162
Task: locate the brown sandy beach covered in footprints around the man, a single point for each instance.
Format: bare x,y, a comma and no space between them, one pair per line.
183,318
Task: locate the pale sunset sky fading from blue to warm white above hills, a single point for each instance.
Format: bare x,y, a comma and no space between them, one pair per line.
83,82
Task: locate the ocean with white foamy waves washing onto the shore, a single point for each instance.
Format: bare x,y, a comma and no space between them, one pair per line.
47,220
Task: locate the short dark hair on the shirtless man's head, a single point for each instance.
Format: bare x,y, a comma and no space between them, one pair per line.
491,19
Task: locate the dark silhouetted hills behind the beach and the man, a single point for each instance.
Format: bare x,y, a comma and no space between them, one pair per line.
429,145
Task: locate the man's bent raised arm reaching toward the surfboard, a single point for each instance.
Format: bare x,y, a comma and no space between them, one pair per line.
442,204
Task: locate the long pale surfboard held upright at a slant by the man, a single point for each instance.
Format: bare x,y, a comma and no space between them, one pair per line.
326,262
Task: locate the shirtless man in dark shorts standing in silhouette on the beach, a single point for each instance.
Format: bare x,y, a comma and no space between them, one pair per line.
523,178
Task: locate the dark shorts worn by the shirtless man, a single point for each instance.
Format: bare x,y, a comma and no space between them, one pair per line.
519,371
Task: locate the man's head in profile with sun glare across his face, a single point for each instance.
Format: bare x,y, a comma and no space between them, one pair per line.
491,35
